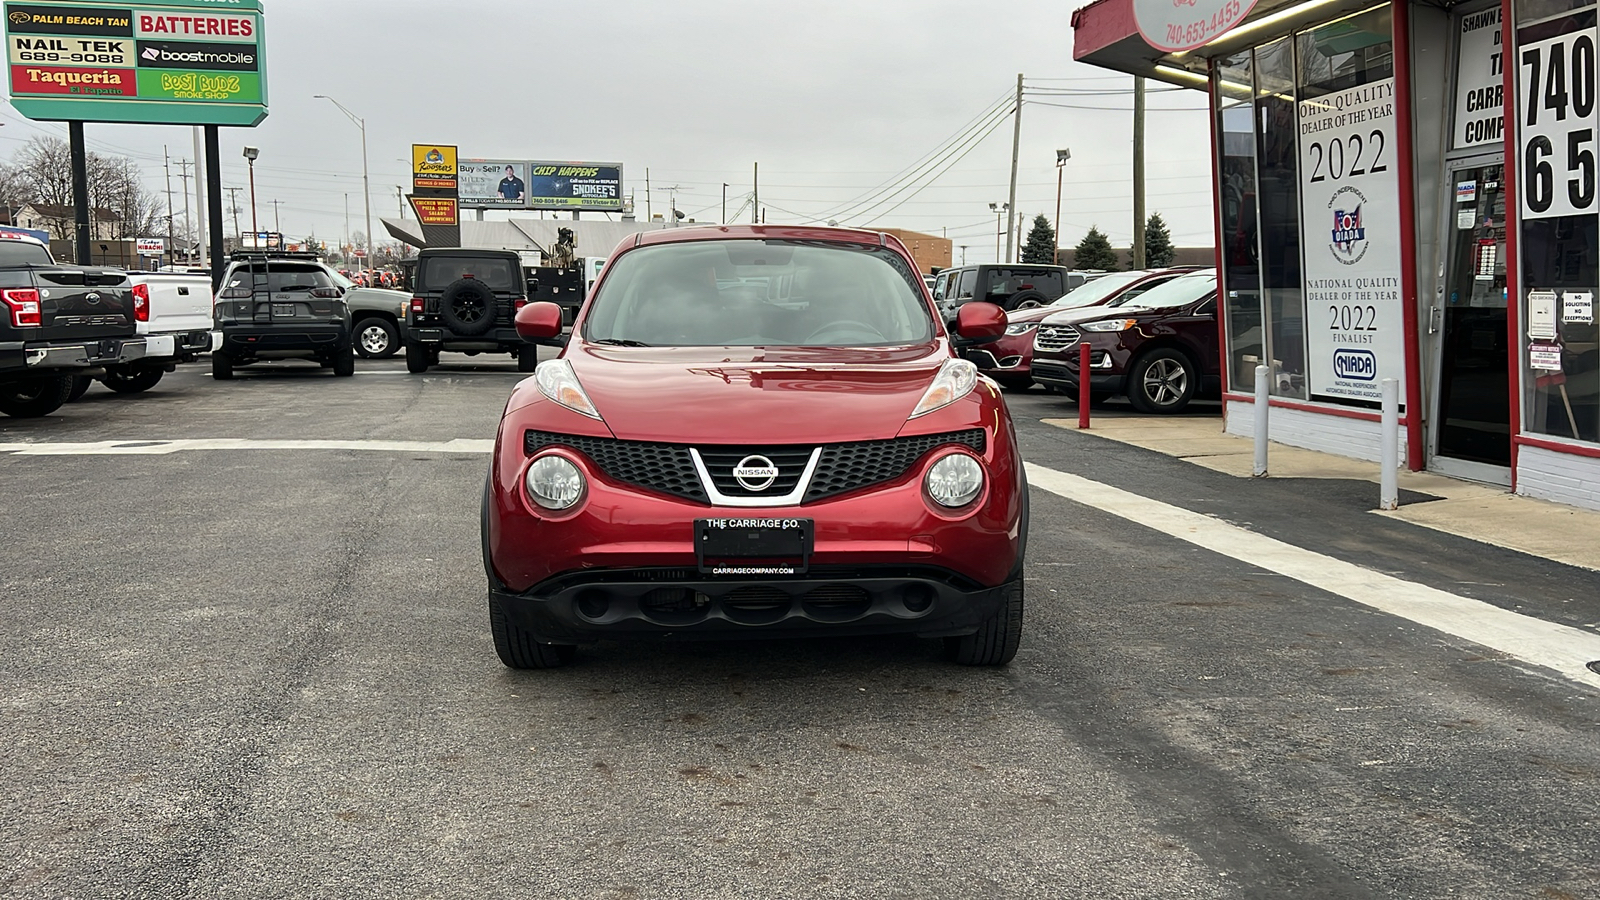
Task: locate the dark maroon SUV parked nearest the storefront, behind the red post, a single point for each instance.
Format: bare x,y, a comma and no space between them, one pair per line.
1159,348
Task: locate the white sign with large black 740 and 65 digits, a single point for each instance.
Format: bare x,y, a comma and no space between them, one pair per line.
1559,126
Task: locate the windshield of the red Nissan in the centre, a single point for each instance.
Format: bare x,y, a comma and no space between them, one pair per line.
751,294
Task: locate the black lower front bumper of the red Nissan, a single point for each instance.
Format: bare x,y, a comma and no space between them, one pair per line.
684,605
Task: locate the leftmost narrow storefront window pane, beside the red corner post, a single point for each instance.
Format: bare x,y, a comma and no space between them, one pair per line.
1238,180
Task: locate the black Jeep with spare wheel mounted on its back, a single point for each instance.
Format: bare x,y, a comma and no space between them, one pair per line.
466,302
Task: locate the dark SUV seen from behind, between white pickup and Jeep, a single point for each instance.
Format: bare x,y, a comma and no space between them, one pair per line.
281,305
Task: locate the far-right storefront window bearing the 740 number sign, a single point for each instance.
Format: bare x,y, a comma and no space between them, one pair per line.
1558,121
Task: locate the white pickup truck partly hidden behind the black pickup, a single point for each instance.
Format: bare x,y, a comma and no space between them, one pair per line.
174,313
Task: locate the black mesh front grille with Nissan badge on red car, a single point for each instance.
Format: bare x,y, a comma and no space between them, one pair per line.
670,468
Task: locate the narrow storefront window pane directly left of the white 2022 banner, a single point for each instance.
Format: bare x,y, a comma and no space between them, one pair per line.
1278,174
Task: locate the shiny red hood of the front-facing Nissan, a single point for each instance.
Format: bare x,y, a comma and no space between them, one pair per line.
756,395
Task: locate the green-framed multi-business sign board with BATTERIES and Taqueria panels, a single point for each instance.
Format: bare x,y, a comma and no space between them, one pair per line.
164,63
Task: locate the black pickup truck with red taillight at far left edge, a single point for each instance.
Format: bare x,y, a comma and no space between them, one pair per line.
58,323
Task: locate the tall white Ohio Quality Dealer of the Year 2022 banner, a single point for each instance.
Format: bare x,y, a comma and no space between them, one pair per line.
1351,233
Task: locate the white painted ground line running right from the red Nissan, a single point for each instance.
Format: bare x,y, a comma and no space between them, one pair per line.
1527,638
